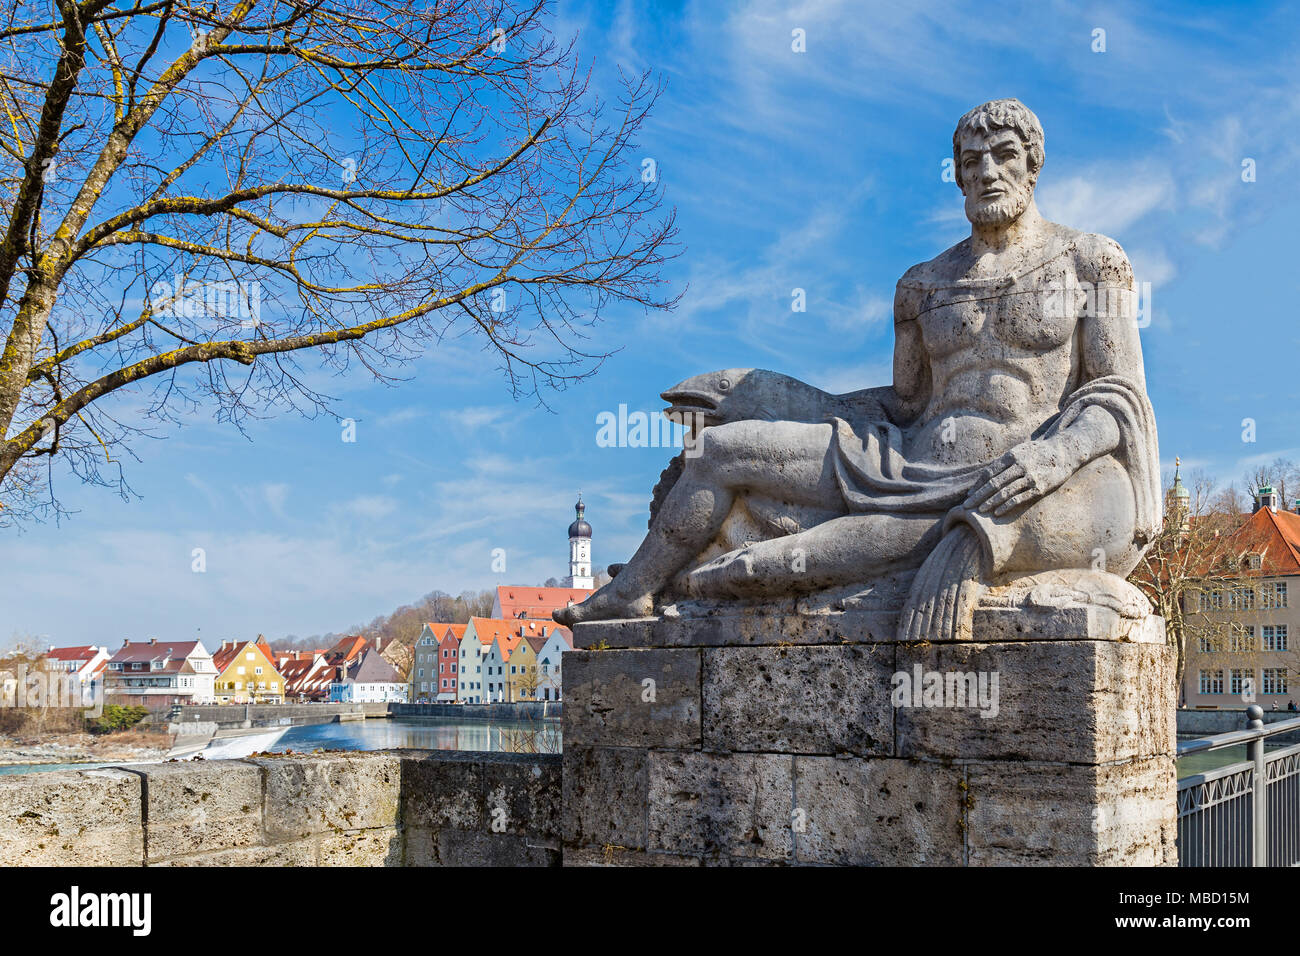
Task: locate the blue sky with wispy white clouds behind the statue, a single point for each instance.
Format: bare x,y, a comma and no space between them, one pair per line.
820,171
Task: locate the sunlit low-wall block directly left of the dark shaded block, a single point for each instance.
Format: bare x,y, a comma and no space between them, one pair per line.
330,794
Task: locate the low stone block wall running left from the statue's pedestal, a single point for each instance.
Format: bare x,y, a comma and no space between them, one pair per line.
388,808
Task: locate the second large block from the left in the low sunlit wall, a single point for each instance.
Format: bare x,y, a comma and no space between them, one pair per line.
202,806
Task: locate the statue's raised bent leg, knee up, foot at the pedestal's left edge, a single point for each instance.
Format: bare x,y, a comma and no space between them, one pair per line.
781,460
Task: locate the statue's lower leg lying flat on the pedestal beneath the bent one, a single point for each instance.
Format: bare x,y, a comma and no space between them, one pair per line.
844,551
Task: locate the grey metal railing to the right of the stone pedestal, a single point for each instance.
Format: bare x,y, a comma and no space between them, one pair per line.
1247,814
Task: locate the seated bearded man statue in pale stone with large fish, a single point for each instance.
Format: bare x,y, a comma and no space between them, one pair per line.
1017,436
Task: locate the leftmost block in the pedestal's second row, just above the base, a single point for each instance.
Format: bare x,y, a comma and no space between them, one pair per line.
605,797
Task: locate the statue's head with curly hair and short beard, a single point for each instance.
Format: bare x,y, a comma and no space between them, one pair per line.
998,154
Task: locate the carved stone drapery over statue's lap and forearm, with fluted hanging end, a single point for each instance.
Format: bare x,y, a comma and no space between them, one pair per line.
874,477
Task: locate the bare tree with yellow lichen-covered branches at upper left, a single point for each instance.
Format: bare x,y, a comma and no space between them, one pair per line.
209,202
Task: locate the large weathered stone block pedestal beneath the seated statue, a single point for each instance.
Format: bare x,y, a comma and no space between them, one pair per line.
770,739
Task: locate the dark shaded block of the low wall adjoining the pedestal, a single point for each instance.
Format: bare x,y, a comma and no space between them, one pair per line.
499,793
